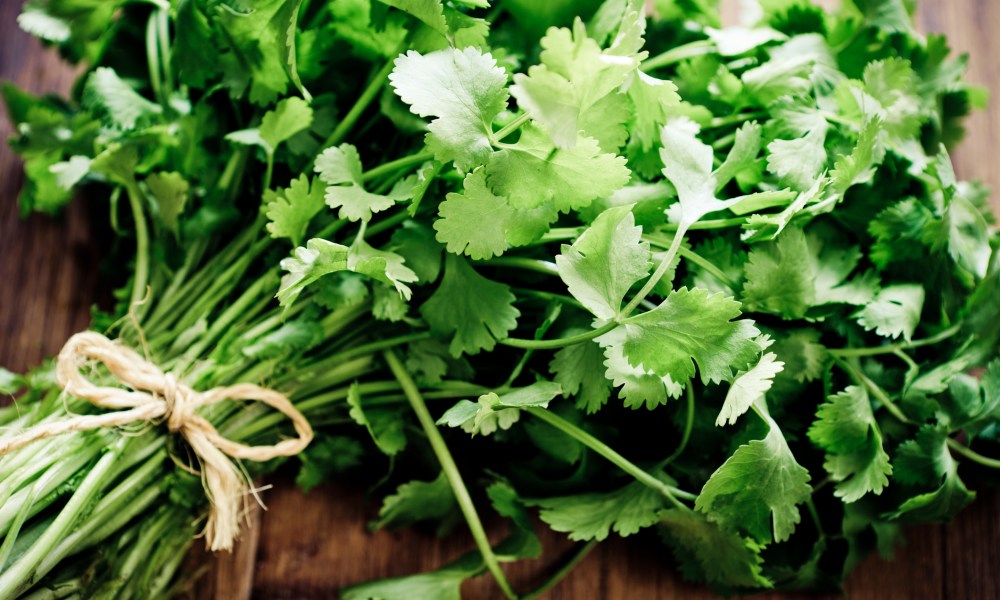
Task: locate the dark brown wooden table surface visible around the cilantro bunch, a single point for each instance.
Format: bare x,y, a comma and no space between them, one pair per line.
308,546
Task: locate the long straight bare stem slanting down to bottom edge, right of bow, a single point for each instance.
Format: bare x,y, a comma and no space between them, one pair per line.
450,470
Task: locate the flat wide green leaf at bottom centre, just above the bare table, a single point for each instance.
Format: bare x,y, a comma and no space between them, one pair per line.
593,516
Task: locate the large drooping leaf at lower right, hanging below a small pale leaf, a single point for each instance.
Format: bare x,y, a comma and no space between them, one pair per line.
760,485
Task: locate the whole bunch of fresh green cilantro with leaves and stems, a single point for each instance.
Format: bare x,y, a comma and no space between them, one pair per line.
631,274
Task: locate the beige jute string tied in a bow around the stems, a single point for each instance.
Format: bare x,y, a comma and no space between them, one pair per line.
157,395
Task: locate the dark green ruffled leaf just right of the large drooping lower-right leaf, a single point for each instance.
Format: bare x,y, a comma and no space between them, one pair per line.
845,427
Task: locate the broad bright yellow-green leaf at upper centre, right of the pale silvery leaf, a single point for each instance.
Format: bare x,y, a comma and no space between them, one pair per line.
532,173
